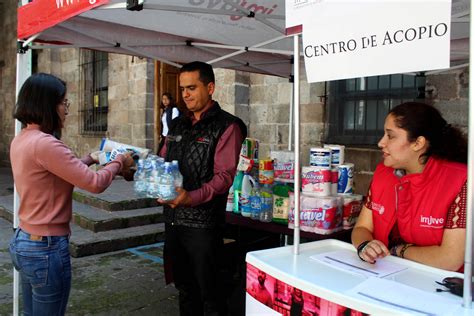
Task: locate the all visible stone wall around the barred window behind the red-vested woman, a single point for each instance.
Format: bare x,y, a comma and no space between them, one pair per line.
269,116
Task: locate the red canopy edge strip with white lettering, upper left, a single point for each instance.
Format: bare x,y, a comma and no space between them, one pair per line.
39,15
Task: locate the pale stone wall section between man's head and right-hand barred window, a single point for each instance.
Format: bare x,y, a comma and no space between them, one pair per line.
270,99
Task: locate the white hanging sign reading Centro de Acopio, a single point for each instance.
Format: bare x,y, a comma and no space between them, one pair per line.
349,39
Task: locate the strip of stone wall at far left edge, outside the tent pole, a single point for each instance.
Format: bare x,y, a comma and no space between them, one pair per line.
7,79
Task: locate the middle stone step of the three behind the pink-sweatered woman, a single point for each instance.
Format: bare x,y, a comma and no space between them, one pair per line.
98,220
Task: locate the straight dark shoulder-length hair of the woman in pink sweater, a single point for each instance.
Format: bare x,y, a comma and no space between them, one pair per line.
38,102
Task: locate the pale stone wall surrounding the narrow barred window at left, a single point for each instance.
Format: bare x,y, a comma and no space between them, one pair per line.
130,116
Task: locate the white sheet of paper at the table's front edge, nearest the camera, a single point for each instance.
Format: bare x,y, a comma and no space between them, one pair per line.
404,298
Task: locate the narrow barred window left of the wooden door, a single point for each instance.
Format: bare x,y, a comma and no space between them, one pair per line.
94,81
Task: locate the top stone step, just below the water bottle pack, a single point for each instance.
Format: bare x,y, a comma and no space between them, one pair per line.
119,196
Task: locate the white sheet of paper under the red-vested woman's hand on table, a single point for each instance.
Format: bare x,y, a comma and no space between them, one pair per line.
349,261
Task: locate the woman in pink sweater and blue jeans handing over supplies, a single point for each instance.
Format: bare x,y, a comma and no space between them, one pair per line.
45,172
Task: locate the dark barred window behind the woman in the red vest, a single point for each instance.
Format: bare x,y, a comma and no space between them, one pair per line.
357,107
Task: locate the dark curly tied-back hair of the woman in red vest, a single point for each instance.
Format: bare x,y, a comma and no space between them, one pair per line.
444,141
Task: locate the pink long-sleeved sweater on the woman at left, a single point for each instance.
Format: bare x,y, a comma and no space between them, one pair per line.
45,172
